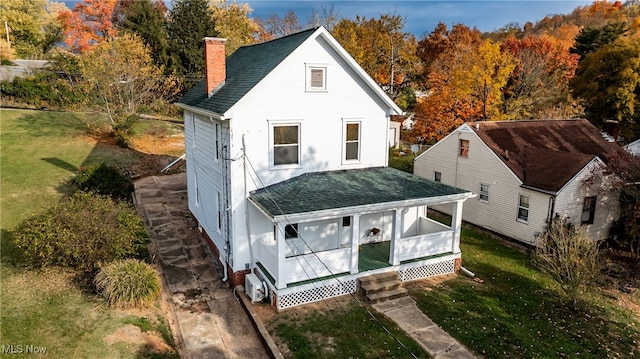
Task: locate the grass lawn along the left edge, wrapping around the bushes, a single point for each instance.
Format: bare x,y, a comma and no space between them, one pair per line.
40,152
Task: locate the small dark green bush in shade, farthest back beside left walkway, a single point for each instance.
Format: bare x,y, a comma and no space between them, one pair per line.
105,180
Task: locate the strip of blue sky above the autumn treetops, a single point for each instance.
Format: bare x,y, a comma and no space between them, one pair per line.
422,16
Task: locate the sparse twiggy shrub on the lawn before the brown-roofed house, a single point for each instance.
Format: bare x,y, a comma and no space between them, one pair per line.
569,256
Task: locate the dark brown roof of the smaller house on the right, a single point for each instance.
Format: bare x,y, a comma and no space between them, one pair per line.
545,154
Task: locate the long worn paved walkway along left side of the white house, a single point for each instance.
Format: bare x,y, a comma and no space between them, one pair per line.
207,319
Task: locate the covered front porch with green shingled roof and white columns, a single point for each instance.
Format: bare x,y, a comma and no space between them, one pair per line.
351,223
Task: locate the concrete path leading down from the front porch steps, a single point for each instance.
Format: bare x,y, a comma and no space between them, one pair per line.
440,345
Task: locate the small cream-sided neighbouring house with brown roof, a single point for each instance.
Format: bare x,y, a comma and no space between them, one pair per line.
526,172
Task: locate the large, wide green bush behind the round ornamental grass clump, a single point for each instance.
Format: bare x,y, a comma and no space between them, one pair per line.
82,232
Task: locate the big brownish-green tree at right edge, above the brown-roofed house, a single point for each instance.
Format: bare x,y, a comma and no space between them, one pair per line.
608,81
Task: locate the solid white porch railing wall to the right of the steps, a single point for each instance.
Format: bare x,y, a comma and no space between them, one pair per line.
433,238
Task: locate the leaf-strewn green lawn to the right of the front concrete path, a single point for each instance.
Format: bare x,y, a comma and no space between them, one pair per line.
516,312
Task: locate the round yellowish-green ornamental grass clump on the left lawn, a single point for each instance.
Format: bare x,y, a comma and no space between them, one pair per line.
128,283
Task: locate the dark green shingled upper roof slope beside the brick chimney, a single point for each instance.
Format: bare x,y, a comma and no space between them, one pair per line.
245,68
